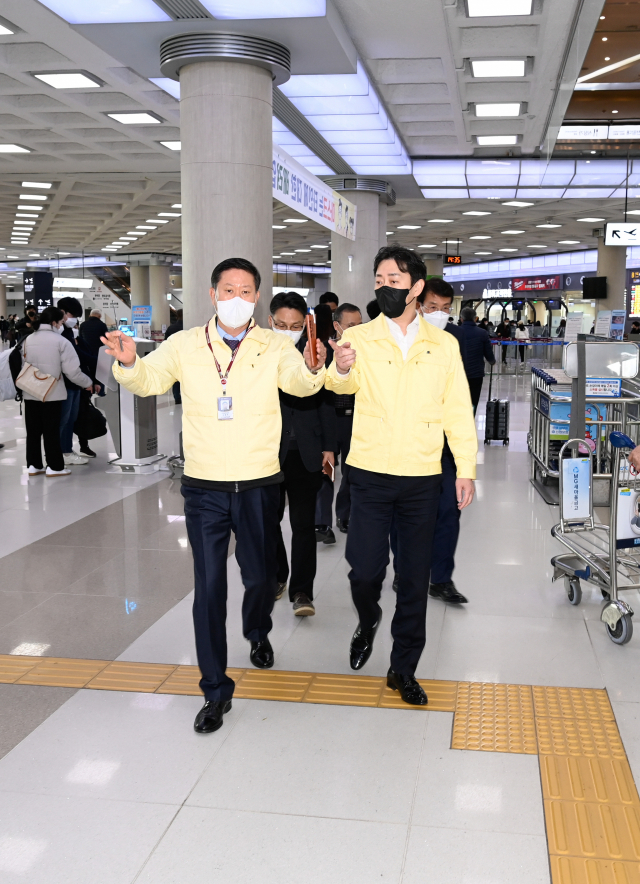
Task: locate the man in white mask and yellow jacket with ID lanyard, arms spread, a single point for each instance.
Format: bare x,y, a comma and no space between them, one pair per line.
229,371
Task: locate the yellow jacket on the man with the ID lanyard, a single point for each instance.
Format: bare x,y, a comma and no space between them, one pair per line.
235,450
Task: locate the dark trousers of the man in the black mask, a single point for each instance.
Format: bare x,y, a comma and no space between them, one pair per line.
376,499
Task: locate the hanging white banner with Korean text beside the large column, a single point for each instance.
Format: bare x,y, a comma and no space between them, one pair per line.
294,186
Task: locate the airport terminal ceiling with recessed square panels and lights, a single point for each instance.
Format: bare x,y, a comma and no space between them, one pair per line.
412,77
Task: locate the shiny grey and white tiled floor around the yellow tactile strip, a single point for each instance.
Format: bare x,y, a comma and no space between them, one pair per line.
115,788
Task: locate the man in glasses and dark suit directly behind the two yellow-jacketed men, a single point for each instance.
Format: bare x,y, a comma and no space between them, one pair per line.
307,445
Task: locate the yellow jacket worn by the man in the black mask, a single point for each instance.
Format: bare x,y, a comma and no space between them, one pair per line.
404,408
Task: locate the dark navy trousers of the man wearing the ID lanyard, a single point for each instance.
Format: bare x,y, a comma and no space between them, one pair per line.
210,517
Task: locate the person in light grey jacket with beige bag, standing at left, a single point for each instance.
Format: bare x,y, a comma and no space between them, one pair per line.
51,353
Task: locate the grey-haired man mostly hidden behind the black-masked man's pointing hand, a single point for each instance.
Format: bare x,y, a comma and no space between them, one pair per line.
346,317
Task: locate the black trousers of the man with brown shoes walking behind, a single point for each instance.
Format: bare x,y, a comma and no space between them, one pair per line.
301,488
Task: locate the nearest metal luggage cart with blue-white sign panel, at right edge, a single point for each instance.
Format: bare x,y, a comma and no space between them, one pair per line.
608,556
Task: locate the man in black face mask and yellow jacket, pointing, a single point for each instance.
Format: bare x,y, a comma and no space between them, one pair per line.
410,389
